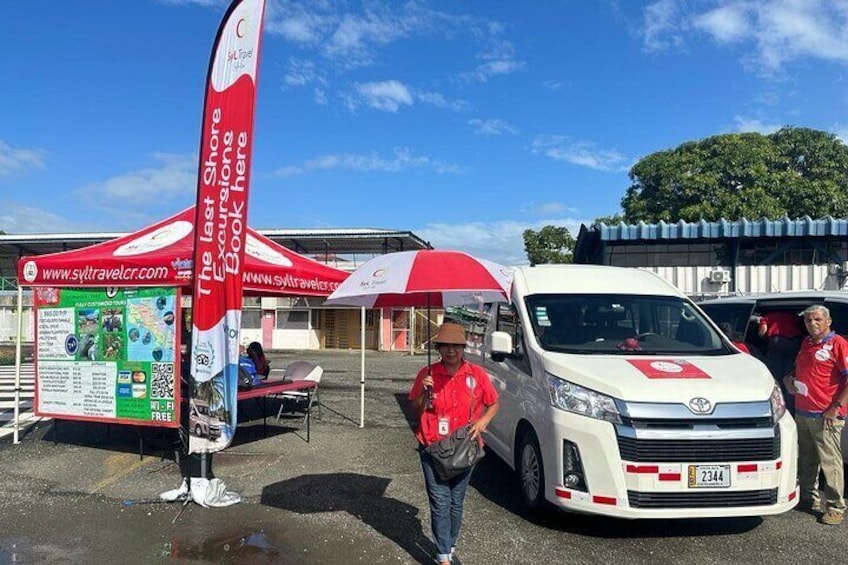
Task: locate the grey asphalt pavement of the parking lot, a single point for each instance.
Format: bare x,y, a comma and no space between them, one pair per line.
81,493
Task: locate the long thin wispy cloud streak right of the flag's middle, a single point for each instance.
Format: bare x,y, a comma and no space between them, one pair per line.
402,160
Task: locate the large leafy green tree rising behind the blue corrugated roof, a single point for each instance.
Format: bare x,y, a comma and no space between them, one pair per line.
793,172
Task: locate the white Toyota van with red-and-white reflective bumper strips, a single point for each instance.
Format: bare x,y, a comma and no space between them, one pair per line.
620,397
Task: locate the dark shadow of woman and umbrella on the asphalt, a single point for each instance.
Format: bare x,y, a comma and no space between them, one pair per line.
361,496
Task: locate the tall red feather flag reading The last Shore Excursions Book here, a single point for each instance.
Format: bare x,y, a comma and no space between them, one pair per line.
221,225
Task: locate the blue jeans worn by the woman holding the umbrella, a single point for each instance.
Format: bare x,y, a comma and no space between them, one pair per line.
446,500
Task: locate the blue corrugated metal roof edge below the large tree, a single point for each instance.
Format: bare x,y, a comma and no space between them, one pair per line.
801,227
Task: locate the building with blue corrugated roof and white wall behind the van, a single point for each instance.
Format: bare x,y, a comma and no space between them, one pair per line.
710,258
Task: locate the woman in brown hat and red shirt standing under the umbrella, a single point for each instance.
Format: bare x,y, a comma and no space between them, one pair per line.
448,395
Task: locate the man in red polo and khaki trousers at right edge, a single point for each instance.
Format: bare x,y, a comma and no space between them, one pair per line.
818,383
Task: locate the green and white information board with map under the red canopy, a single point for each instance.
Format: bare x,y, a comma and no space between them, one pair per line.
108,355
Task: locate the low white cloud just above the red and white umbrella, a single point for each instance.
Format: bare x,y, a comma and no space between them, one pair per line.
502,241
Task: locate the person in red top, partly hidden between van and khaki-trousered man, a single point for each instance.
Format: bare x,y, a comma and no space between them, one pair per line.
783,332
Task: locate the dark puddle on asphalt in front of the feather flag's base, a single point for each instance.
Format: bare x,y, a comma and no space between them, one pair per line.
252,547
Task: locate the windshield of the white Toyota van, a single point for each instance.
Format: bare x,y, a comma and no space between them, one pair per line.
622,324
